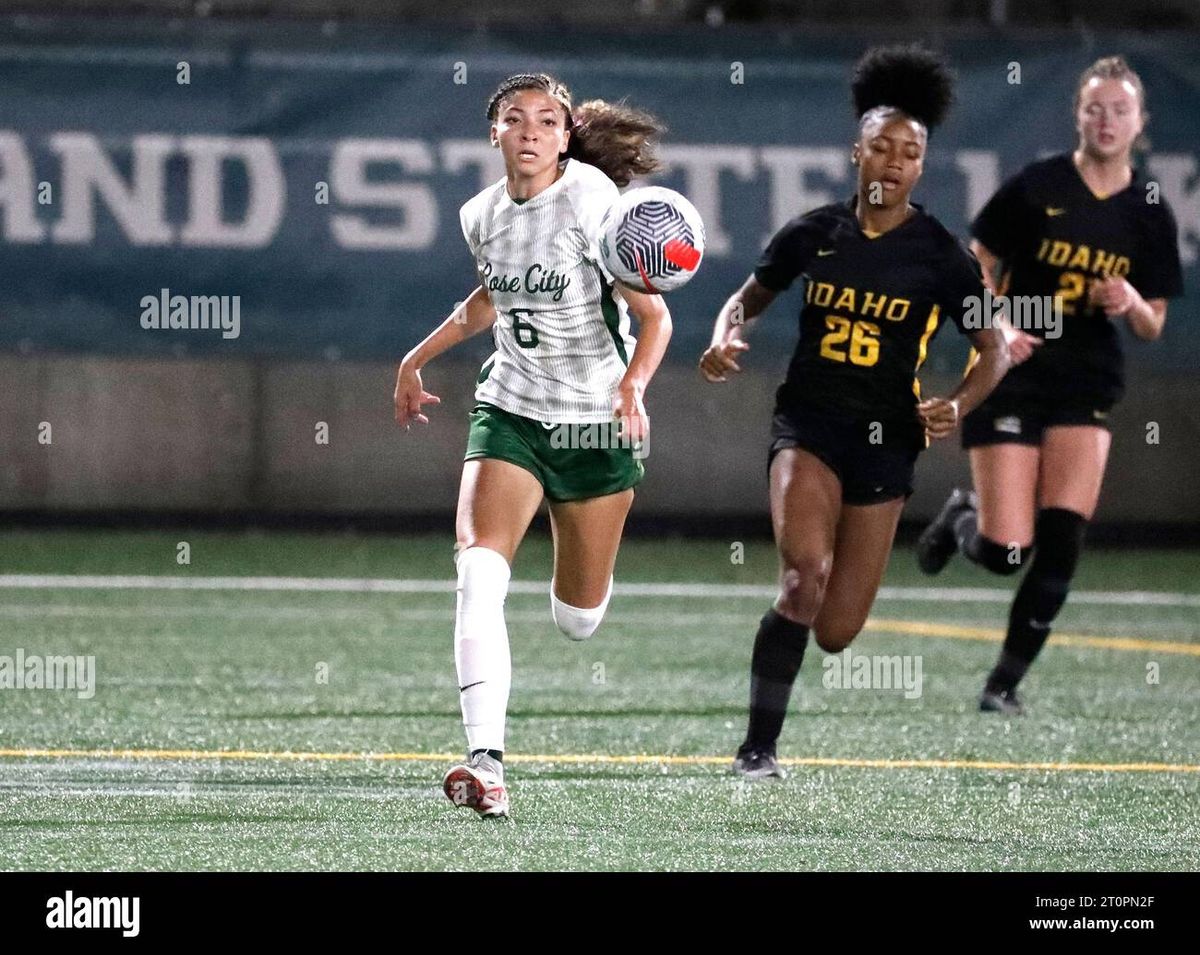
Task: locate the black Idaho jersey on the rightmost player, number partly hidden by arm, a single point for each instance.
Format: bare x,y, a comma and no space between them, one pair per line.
1057,238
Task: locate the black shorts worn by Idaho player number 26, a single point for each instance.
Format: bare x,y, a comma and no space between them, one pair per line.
873,460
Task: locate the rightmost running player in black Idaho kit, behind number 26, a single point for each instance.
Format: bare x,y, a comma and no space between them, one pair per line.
1083,230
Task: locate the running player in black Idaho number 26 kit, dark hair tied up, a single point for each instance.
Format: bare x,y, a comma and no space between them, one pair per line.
881,277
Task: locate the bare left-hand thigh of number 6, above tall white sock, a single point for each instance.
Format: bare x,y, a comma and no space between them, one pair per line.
496,503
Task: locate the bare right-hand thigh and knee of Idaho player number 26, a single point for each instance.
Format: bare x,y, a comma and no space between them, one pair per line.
861,554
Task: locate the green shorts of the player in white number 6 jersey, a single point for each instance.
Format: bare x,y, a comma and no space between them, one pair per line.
573,463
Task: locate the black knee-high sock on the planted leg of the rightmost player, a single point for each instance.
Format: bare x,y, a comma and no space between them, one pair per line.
1059,540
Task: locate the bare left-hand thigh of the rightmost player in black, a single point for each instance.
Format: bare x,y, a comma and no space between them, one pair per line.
1006,479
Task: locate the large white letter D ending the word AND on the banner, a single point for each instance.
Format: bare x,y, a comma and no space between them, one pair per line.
268,191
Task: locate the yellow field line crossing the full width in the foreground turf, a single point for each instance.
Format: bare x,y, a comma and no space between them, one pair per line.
601,760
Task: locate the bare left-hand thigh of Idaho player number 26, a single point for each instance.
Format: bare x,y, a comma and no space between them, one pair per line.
806,501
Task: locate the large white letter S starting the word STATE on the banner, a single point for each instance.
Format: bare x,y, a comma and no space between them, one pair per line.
349,175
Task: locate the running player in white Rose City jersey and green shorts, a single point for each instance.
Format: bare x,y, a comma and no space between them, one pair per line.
559,410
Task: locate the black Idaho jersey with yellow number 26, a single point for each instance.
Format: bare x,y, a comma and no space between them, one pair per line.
871,308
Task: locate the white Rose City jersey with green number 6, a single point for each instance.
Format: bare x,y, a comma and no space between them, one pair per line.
562,338
